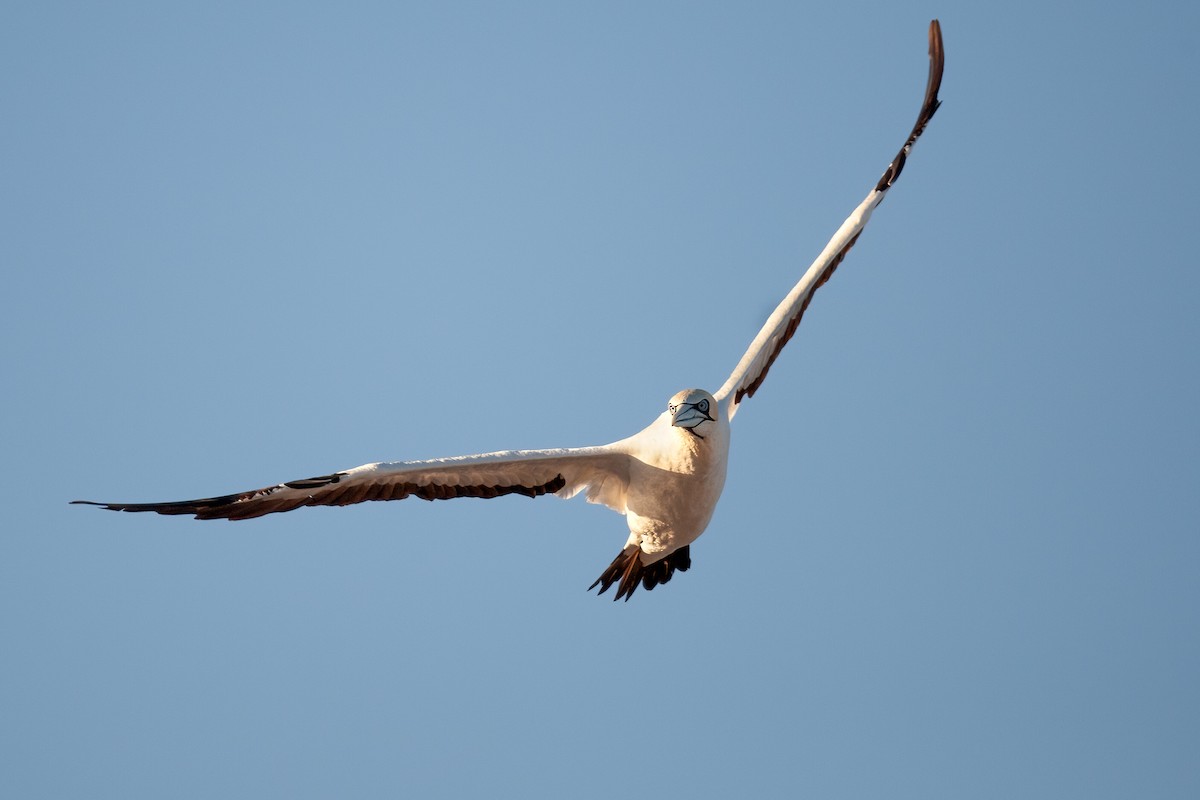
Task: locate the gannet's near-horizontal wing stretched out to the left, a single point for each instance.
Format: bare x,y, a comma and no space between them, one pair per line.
602,473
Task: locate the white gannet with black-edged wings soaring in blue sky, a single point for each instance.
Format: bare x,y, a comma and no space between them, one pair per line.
665,479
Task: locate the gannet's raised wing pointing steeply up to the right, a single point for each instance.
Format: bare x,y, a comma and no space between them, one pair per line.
782,326
